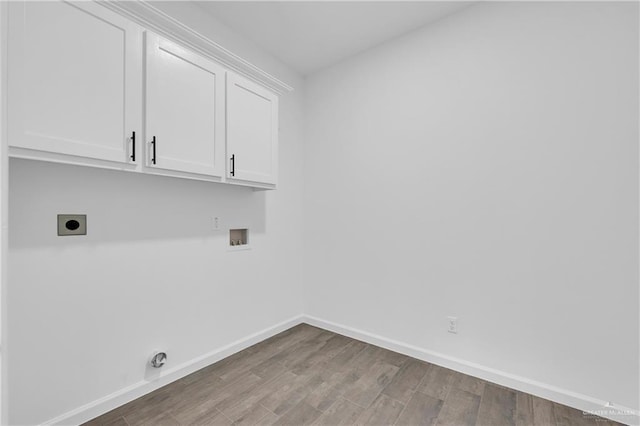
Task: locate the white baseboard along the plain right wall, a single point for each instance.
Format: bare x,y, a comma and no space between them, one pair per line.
562,396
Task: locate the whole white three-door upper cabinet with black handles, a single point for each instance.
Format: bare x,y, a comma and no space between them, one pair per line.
88,86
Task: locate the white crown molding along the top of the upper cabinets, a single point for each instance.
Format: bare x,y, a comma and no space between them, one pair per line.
164,25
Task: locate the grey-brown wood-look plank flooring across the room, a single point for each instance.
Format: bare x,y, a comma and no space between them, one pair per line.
307,375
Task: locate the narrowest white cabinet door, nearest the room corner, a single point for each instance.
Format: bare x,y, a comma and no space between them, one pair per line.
252,131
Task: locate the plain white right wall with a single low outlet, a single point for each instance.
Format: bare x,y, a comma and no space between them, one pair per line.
487,168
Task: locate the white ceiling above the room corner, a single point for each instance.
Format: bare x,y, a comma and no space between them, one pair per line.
311,35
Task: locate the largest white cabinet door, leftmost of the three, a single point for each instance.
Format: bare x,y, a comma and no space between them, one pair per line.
75,79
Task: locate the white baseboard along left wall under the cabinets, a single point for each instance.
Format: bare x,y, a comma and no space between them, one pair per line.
103,405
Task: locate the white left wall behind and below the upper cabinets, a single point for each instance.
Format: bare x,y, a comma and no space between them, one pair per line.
85,313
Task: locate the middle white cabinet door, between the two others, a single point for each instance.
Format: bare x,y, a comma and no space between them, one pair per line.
184,109
